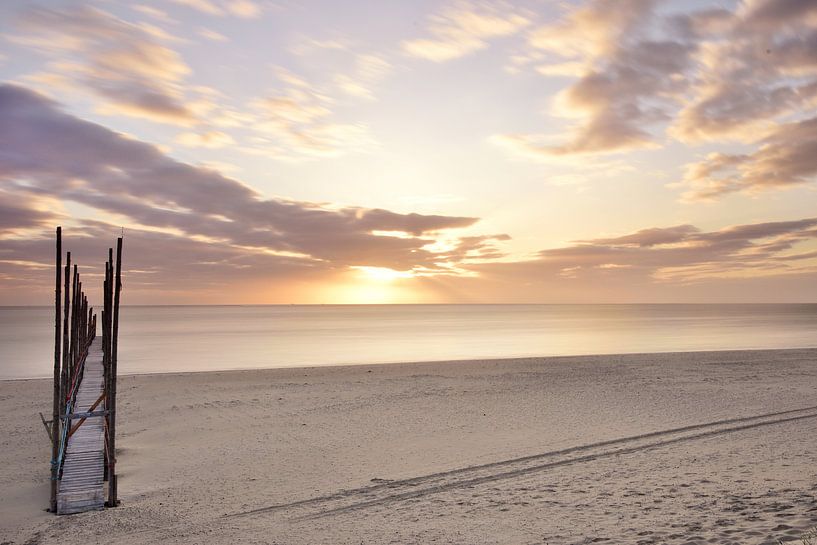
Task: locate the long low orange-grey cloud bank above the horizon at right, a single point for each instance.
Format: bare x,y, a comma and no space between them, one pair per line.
678,263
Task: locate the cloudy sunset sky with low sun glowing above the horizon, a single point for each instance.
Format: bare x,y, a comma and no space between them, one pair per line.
322,152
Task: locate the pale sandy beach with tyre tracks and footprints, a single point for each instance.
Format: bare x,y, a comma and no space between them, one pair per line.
706,447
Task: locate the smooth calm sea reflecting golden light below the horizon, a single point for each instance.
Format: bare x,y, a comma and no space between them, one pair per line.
202,338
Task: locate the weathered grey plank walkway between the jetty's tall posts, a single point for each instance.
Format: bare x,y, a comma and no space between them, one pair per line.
81,487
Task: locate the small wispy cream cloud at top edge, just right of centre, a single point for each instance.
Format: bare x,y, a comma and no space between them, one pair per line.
464,28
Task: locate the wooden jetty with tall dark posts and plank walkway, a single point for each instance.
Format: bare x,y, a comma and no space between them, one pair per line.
83,426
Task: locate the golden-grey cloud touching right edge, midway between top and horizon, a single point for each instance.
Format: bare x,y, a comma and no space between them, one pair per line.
786,157
